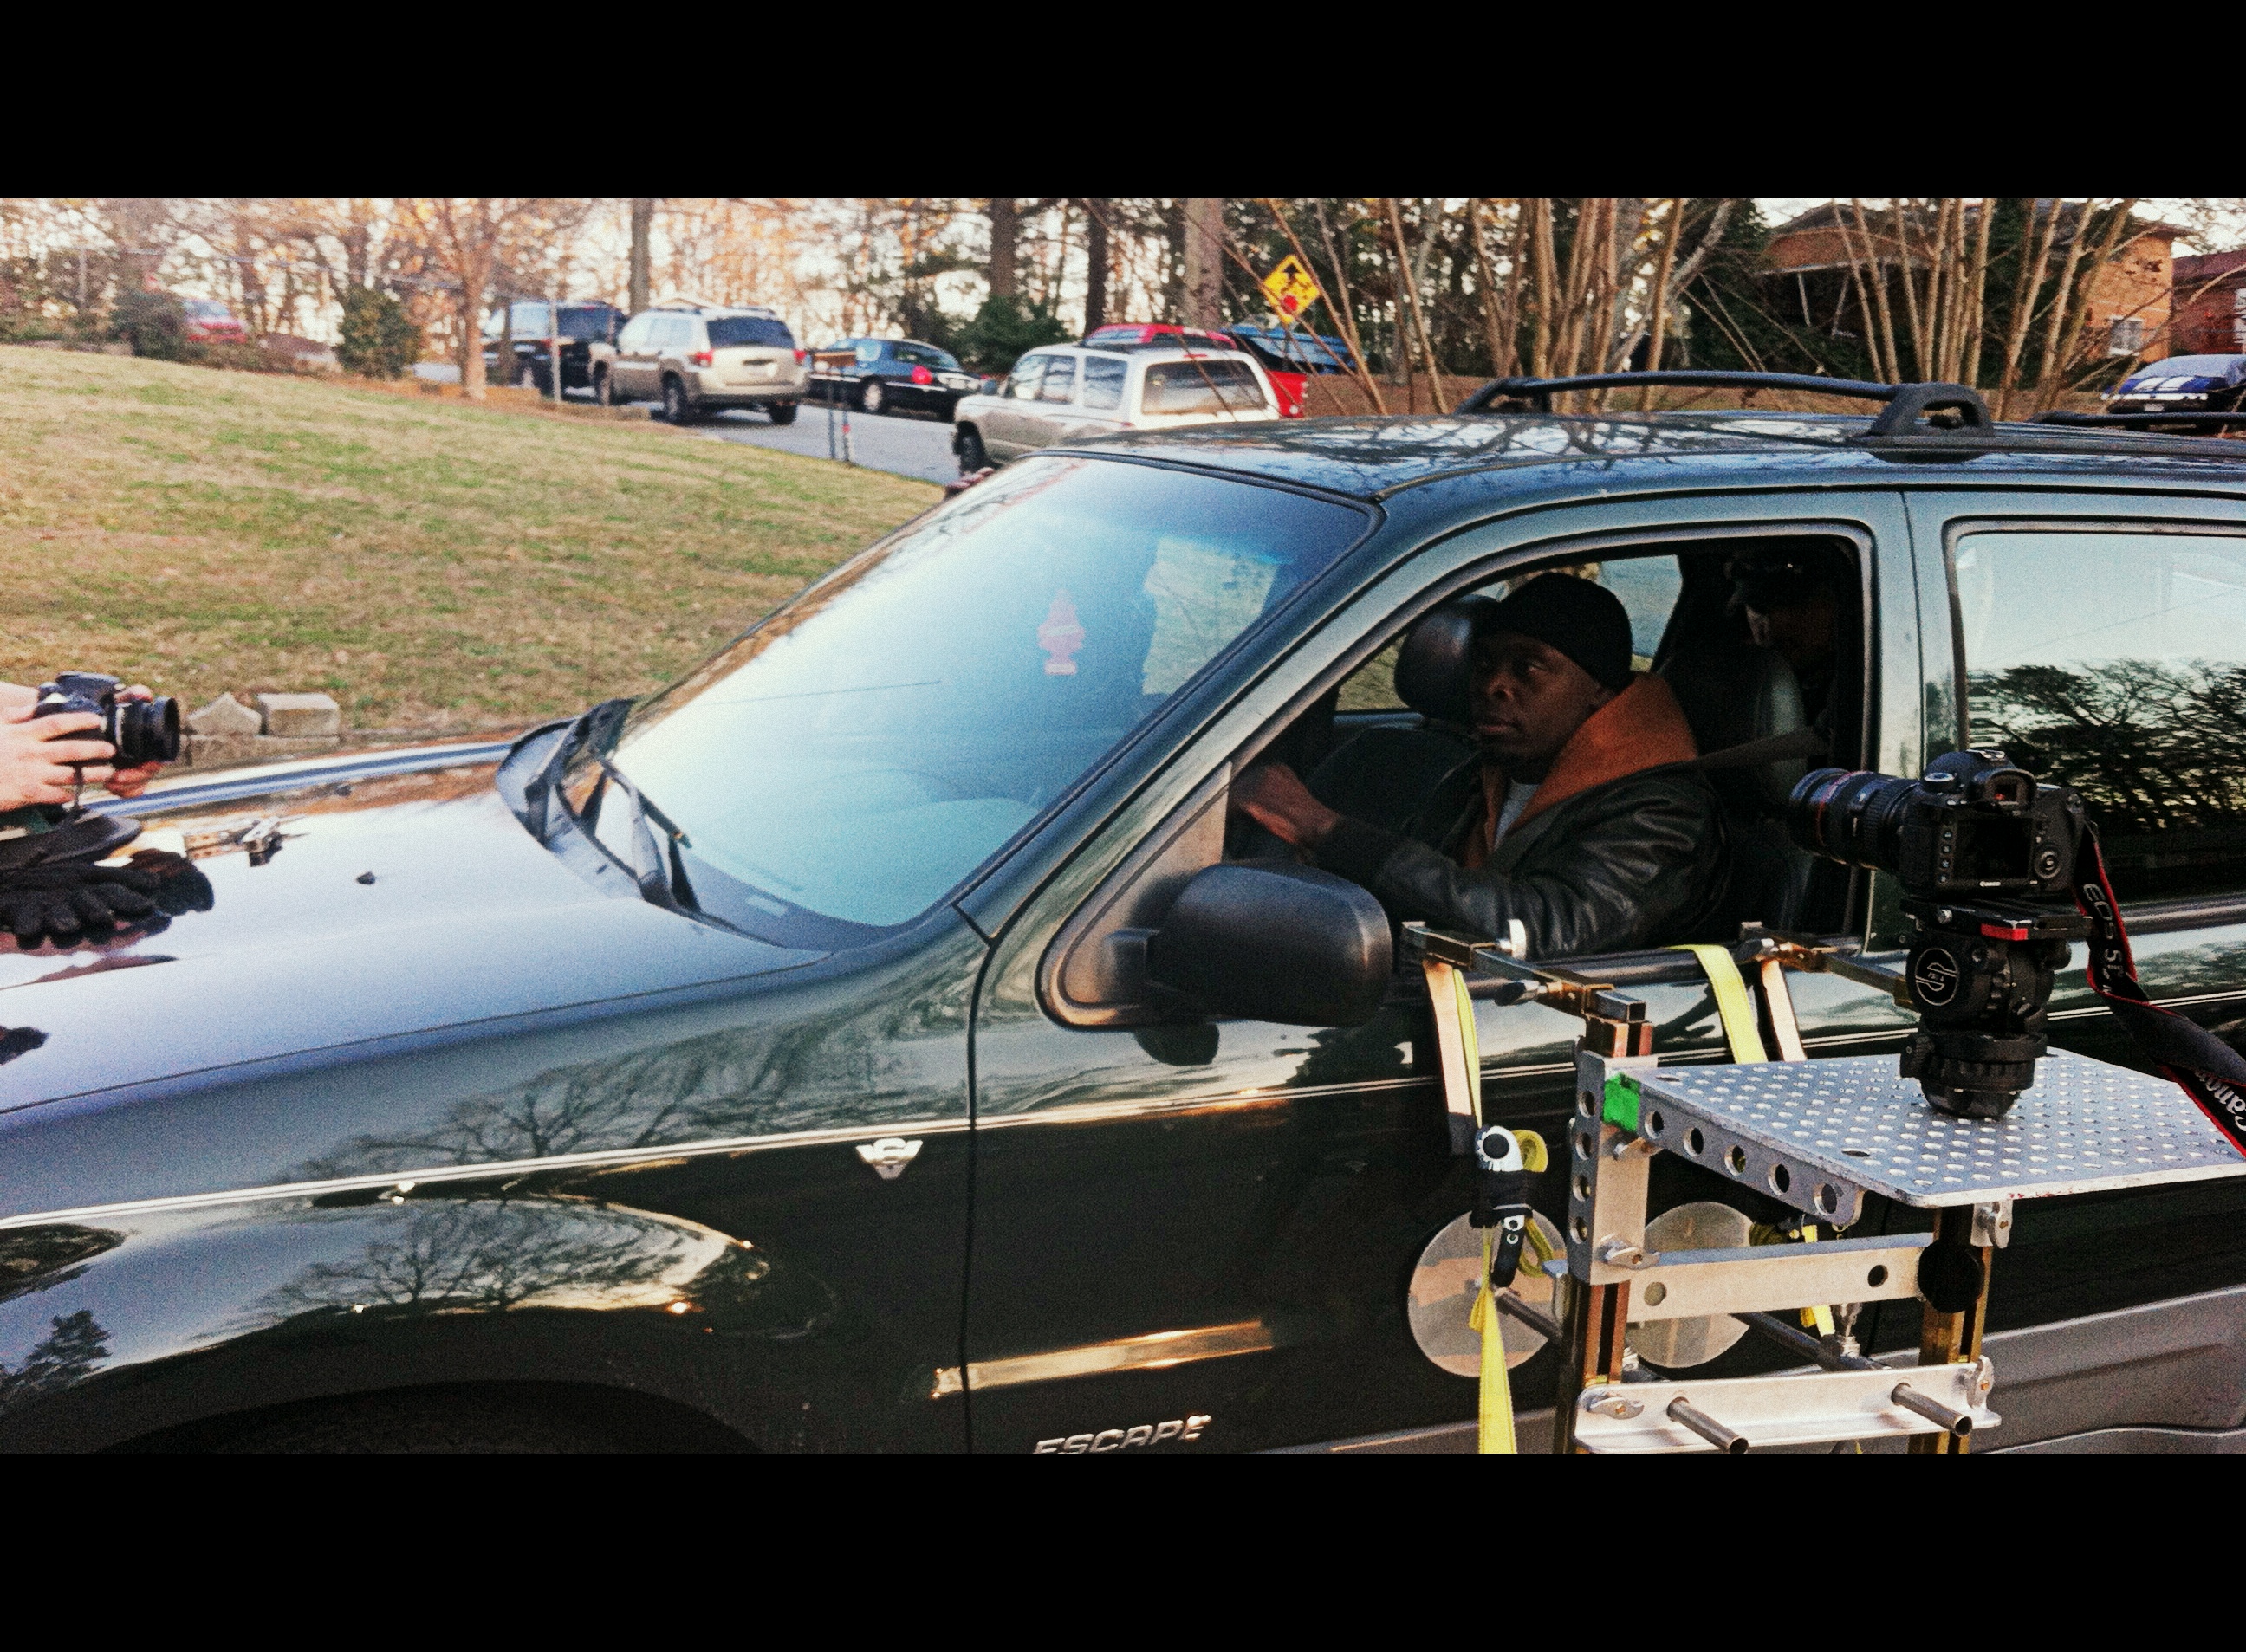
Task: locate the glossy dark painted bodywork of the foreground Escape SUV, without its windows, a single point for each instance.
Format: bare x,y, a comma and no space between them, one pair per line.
491,1119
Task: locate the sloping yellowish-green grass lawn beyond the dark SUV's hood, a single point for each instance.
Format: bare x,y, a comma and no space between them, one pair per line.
430,565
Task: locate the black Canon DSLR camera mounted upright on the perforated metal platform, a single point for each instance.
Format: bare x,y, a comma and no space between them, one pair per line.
1980,850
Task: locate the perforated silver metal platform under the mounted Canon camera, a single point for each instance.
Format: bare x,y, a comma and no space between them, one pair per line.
1834,1130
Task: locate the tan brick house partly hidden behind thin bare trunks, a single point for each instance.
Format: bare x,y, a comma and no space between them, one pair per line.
1811,275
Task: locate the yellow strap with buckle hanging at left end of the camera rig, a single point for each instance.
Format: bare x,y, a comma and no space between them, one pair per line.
1501,1206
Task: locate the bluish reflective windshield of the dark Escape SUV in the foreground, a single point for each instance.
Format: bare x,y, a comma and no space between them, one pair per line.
852,760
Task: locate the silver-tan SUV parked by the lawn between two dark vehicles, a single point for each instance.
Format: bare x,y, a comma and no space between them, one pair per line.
704,358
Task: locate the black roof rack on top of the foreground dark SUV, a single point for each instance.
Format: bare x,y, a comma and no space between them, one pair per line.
1939,421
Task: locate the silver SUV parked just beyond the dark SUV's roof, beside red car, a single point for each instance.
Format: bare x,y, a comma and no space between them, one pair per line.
1070,394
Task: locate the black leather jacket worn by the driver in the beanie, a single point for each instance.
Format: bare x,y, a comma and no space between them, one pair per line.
1636,863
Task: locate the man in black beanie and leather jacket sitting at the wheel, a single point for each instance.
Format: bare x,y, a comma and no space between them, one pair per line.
1576,816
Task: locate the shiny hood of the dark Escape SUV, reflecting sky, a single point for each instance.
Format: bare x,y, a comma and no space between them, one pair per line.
396,903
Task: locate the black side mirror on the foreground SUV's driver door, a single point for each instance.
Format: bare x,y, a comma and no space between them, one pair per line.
1275,942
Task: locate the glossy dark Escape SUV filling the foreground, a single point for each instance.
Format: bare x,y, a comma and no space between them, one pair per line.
787,1058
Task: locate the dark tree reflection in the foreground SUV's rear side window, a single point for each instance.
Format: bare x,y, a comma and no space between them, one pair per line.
2157,751
